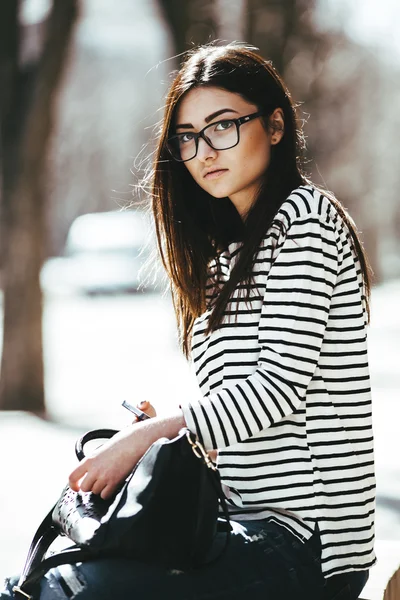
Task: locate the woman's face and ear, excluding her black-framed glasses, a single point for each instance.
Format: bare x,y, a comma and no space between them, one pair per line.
239,169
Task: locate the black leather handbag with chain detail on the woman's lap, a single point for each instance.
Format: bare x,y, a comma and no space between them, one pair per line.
165,512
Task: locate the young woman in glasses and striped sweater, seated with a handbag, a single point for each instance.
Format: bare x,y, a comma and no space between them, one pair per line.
271,291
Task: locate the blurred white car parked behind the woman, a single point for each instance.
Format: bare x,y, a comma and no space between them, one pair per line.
104,253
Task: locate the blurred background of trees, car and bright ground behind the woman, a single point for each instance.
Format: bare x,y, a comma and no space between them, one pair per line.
82,85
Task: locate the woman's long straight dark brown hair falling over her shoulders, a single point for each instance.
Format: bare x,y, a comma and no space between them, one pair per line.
191,225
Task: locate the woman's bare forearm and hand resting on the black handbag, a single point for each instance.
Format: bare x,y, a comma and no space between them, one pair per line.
103,471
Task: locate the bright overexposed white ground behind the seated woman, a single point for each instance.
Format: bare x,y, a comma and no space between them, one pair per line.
98,351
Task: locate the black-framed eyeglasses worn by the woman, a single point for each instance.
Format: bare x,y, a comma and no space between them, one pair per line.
220,135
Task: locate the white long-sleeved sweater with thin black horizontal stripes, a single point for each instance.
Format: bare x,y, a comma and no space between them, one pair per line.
285,391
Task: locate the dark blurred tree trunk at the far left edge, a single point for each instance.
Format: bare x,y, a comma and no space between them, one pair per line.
27,122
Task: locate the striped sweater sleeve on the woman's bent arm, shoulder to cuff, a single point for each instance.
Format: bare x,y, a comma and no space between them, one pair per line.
294,316
